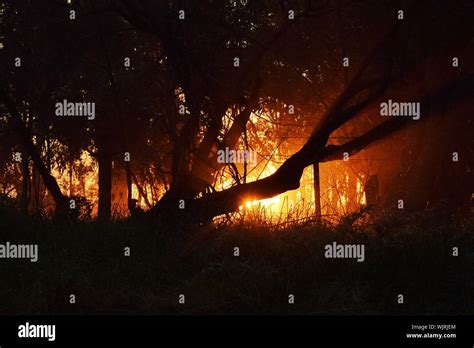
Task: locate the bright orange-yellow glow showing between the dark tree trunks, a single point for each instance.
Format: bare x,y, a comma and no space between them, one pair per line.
340,193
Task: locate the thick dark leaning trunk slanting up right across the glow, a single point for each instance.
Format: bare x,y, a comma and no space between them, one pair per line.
288,176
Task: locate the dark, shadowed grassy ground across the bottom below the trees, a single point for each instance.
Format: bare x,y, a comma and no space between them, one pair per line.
405,253
